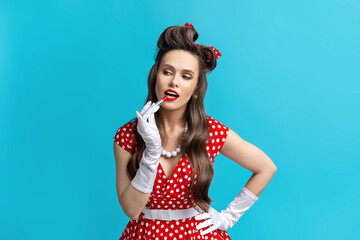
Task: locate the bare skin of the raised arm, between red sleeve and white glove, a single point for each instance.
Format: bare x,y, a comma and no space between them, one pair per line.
131,200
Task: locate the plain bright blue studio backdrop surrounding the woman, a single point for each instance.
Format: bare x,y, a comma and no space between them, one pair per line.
73,72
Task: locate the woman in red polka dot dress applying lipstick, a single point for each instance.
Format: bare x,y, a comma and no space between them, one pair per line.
164,157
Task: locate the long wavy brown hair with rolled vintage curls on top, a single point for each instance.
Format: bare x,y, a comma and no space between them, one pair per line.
193,142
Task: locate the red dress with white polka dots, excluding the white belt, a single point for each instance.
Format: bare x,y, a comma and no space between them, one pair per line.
171,193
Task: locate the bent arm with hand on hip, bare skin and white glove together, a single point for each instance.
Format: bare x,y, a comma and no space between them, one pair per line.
249,157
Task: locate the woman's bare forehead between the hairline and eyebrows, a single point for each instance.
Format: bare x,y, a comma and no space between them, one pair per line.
180,60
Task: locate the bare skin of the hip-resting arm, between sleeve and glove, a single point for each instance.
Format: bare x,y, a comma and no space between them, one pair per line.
252,158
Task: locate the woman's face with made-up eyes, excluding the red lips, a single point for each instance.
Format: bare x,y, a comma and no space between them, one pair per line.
178,71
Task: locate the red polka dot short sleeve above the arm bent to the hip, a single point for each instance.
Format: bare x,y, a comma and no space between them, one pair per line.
217,136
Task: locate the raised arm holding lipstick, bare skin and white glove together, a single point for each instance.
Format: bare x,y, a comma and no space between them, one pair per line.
134,194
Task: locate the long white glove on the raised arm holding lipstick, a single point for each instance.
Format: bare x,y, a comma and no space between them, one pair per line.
146,127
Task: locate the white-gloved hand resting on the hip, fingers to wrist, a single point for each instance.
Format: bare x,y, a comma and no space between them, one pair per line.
216,220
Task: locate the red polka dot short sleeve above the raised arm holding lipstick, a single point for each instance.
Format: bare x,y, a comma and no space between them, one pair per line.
125,137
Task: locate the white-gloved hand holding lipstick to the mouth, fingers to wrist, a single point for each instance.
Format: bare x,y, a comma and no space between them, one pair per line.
147,128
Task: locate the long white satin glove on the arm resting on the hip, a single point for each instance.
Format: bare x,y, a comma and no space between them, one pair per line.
227,218
